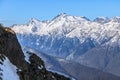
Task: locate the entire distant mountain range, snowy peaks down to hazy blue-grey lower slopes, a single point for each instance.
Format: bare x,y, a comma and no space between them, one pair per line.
94,44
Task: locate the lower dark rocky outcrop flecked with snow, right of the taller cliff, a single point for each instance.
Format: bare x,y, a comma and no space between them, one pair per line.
37,71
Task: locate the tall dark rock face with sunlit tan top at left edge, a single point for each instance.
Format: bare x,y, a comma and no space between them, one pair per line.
10,47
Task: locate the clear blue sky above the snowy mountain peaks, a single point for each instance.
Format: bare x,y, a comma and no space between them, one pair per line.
21,11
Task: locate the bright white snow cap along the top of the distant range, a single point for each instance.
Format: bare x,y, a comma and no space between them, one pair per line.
71,26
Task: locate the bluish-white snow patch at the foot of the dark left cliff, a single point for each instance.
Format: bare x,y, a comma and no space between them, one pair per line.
9,70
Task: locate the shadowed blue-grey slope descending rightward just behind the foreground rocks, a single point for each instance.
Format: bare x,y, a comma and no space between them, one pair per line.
70,68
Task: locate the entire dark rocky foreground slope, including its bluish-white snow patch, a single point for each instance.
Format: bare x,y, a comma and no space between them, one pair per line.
13,65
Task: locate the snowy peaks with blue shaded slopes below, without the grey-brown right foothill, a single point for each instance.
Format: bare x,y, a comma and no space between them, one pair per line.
67,36
